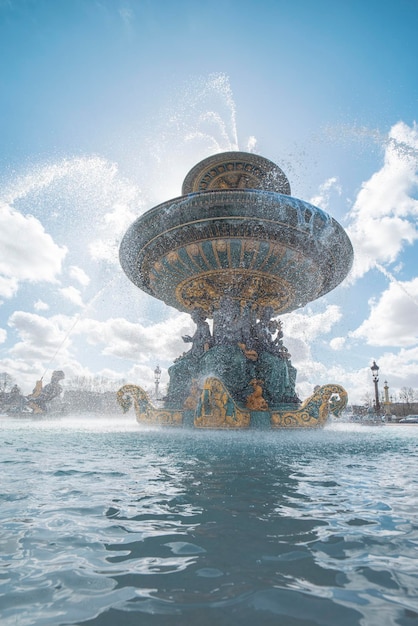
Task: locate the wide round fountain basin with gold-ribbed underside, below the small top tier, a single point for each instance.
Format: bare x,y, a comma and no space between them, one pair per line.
254,245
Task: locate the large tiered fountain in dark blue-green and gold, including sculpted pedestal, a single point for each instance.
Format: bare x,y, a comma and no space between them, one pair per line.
236,249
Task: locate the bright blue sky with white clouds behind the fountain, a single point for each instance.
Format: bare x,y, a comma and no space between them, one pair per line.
107,104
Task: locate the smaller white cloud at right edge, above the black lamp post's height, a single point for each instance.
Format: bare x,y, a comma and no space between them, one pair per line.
393,317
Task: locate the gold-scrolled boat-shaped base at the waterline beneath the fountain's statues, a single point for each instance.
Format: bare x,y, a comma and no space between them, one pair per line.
214,408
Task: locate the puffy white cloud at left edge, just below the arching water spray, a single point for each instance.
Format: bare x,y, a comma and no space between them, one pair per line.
27,252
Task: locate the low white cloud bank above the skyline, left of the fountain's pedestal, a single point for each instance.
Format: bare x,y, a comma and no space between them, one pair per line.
45,344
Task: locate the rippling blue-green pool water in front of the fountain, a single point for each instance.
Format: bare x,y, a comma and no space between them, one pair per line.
103,523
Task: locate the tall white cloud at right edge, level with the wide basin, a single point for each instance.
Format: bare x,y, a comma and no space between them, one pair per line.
383,218
